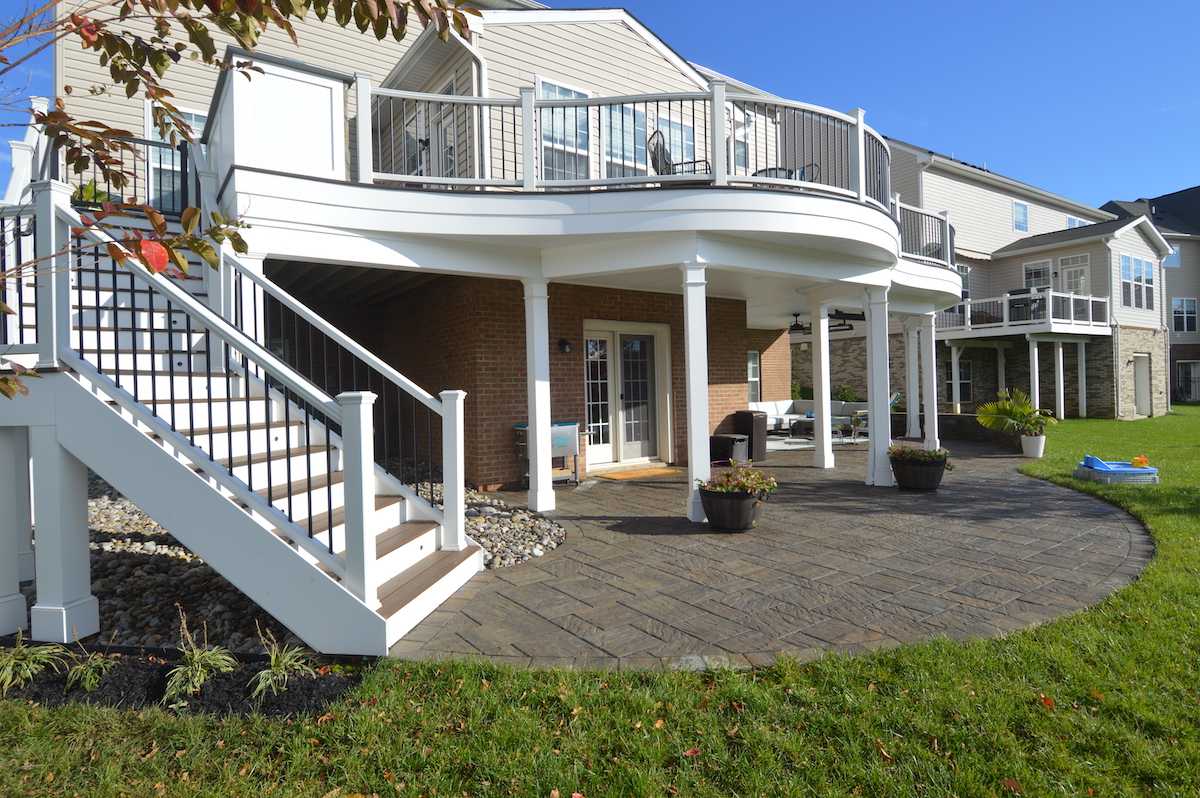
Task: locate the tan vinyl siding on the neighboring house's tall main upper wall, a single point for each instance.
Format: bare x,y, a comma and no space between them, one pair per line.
983,215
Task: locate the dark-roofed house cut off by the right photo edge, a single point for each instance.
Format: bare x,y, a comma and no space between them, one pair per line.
1178,218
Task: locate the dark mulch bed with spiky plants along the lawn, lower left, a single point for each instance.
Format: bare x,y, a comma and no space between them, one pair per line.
139,682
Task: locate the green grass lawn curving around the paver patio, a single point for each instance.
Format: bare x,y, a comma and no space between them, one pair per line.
1105,703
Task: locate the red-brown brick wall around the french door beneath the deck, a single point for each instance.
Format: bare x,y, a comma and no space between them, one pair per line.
469,333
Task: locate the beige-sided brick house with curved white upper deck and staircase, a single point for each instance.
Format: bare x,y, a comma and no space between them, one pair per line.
561,217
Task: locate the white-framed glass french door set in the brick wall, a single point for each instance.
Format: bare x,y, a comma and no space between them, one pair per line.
621,393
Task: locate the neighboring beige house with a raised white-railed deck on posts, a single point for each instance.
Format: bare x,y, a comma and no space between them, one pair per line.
1073,290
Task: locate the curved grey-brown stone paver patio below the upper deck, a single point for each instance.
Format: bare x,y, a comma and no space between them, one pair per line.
832,566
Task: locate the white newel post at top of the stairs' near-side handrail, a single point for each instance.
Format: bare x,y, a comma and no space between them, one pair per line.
53,275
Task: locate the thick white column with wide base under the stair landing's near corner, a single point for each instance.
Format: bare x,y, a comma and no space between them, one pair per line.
67,610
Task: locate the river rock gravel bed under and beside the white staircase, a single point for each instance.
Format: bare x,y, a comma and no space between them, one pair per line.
140,573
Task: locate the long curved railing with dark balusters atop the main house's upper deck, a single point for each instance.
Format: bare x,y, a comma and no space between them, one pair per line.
533,143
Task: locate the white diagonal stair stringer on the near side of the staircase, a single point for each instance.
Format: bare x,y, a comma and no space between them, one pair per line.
316,608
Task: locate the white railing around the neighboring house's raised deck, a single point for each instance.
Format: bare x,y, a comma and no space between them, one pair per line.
1045,308
